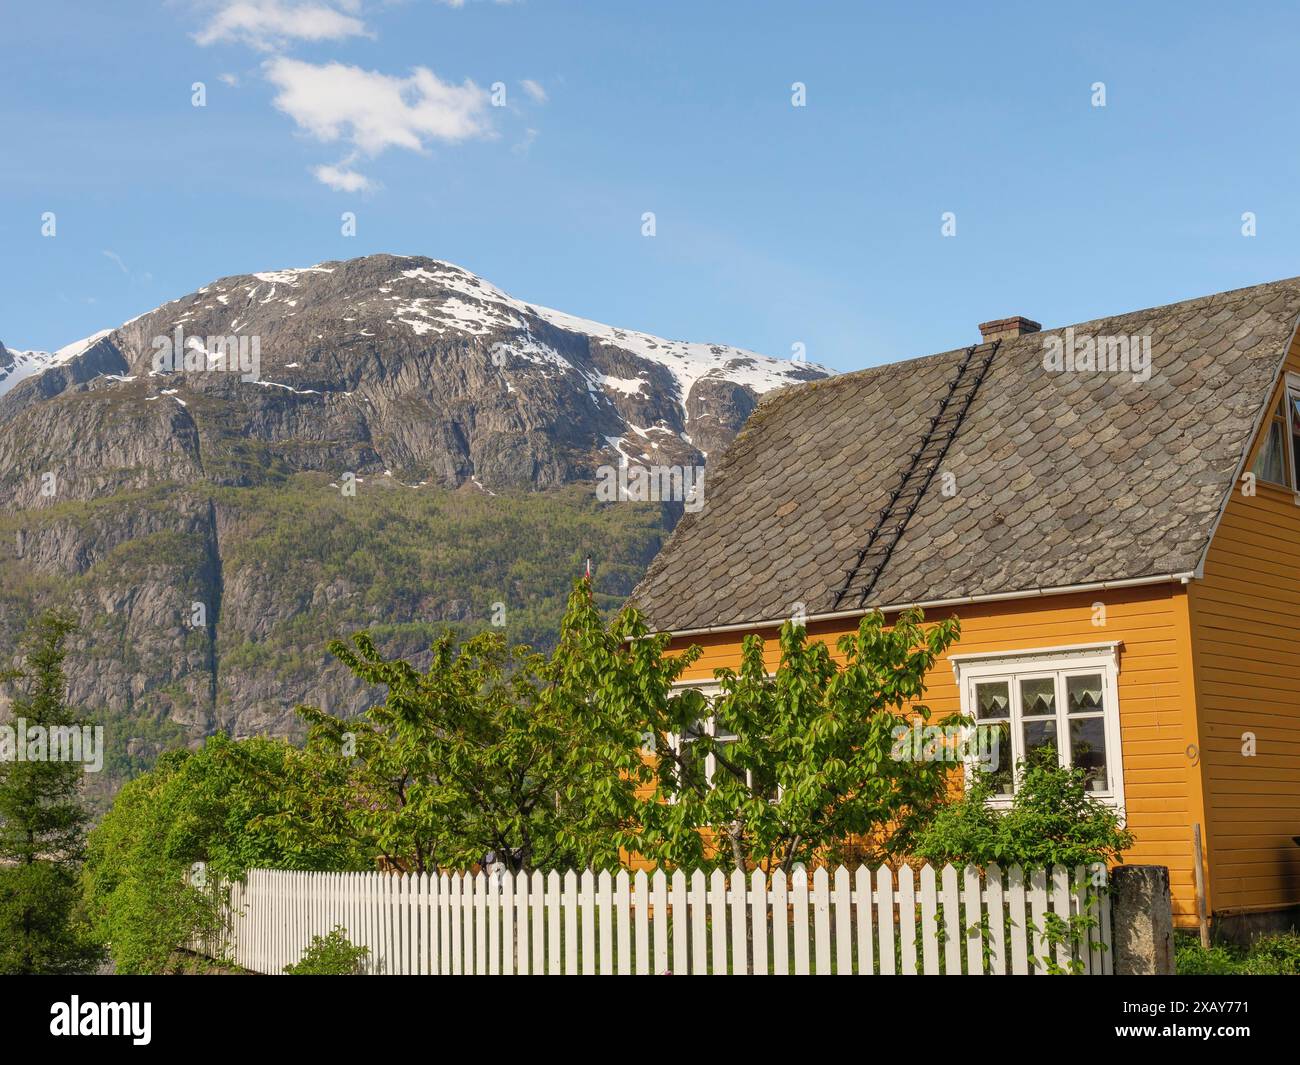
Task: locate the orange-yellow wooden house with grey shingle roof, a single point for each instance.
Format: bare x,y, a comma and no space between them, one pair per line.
1113,513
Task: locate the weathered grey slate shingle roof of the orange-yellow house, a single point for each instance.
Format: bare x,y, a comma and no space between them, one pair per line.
1063,479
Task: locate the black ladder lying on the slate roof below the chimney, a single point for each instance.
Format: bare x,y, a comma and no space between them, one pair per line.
903,503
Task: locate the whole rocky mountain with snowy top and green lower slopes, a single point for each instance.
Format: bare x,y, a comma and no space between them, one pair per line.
220,486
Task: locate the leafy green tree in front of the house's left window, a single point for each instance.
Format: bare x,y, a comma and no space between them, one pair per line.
777,770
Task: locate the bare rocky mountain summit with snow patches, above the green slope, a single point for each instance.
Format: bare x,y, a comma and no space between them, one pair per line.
419,367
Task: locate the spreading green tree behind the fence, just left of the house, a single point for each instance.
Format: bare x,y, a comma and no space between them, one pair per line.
470,760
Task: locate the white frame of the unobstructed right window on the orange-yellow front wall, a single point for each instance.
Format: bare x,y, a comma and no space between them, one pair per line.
1060,664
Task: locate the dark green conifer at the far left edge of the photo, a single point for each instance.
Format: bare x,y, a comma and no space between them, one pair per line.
44,821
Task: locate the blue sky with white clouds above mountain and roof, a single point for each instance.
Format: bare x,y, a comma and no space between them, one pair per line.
775,226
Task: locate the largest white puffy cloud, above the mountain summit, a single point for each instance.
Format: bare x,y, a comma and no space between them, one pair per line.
372,111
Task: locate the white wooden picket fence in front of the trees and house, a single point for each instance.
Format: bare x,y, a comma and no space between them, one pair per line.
885,923
